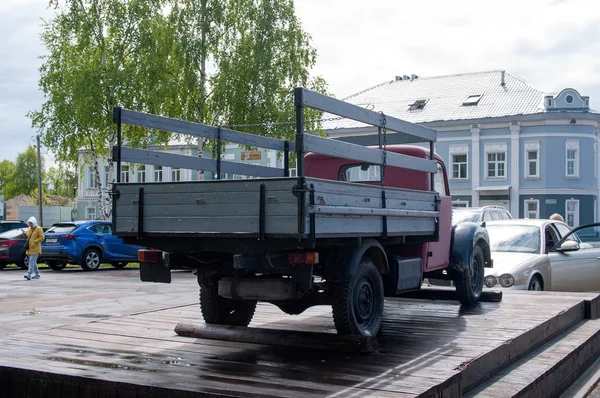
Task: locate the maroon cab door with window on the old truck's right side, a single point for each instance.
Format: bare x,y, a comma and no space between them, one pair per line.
438,253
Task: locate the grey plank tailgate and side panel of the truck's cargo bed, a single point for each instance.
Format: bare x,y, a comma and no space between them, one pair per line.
270,209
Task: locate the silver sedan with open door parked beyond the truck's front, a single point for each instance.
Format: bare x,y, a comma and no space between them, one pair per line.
537,254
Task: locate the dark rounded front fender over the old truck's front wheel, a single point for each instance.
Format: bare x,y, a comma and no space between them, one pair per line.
465,236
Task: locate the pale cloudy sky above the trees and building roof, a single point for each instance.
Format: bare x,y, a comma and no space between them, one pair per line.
553,44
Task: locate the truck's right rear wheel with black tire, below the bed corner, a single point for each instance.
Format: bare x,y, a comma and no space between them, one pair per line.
357,303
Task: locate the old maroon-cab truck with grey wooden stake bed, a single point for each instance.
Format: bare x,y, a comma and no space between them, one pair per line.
357,223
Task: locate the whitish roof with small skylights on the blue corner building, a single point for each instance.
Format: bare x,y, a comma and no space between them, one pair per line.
445,95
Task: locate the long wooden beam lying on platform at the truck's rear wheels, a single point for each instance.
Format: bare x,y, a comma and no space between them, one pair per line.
304,340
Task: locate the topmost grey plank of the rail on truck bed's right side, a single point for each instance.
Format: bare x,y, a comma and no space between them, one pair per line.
337,107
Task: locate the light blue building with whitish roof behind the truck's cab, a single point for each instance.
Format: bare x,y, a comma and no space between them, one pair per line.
504,141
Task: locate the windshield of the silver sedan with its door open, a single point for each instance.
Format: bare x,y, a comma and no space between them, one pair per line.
514,238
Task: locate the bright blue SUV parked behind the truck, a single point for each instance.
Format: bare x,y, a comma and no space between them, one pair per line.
87,243
